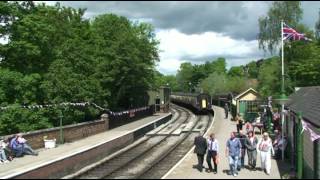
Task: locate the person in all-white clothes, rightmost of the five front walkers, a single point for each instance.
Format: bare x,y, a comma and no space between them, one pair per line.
266,152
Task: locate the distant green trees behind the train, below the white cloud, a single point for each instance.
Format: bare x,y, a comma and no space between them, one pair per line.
212,77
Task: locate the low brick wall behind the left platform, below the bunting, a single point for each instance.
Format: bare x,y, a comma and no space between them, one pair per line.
70,132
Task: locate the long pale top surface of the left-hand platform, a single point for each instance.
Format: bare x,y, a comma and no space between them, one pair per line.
26,163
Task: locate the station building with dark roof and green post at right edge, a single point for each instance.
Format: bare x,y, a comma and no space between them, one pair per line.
302,126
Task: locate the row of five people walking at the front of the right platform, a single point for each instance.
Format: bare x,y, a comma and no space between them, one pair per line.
236,148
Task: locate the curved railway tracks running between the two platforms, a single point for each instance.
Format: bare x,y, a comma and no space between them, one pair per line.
146,157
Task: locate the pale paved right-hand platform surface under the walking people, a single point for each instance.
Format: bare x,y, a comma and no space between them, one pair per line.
222,129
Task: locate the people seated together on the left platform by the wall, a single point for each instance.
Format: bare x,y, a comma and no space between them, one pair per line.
14,147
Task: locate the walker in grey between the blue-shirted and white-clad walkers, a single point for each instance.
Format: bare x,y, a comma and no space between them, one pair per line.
251,145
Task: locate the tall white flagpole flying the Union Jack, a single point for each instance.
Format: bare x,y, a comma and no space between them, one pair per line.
282,91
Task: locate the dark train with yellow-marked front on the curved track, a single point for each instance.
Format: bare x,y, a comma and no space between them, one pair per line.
199,103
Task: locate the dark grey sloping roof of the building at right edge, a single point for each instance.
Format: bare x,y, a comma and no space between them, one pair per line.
307,101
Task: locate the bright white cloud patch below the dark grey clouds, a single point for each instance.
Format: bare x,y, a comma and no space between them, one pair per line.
176,48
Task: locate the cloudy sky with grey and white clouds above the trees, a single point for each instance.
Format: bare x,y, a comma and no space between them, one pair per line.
197,31
